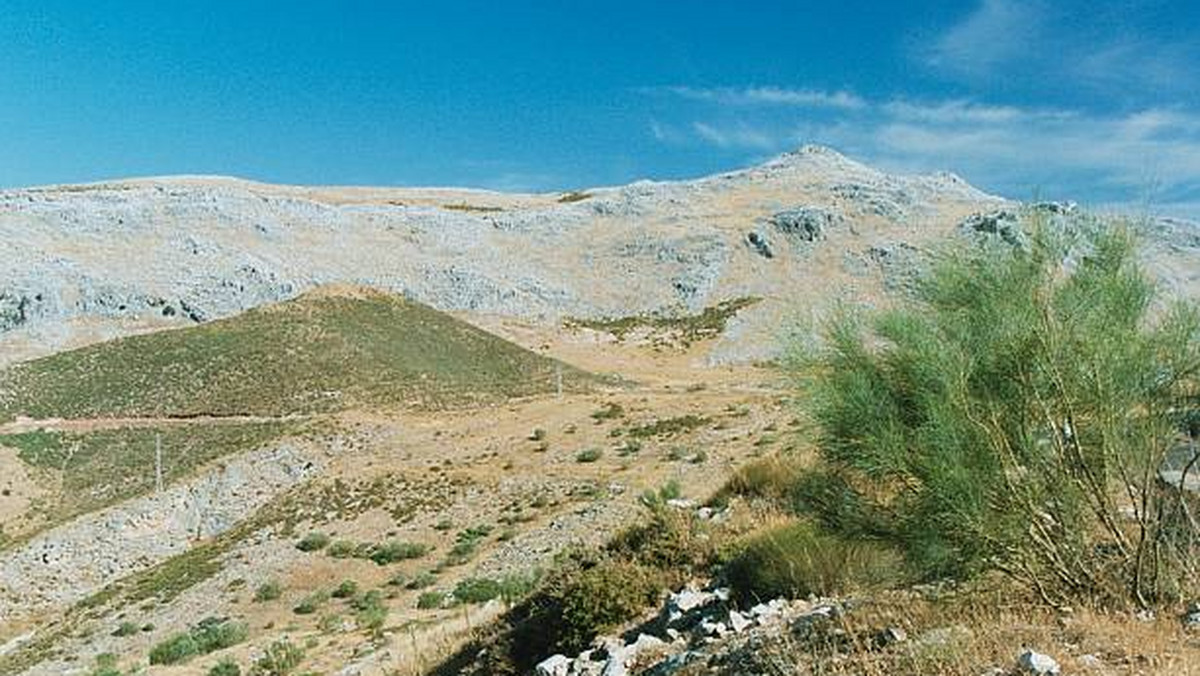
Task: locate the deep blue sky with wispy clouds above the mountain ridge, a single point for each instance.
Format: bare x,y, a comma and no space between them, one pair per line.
1097,101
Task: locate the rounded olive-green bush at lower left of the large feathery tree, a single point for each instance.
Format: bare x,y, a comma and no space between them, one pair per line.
795,560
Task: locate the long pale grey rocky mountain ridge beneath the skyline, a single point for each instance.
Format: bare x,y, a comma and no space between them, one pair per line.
173,252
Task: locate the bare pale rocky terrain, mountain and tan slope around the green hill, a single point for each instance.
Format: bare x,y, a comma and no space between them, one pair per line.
89,264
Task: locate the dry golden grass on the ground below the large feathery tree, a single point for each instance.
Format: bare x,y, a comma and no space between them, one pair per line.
970,633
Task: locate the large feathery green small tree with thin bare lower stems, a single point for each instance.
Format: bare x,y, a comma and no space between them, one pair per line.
1017,416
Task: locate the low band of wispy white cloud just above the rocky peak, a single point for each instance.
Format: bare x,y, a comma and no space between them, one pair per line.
1119,158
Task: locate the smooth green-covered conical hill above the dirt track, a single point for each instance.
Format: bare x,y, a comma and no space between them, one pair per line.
319,354
